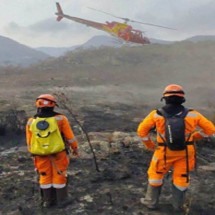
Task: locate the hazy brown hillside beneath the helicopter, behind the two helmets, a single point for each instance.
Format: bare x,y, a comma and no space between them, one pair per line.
136,74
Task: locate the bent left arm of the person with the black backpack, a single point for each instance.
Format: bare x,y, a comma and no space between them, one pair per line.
144,129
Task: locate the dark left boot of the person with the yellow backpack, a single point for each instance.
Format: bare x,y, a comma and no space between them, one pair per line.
48,197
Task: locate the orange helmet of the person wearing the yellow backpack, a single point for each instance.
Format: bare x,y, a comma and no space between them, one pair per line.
46,100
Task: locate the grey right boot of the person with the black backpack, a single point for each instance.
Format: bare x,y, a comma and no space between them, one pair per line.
178,199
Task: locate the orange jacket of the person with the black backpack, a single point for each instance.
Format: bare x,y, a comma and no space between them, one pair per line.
193,121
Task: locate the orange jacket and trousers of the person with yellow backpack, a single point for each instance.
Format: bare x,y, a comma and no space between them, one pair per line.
52,168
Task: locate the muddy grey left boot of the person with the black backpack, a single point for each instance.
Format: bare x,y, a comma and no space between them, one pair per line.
151,199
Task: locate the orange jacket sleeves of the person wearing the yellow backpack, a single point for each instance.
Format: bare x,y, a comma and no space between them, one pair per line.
64,128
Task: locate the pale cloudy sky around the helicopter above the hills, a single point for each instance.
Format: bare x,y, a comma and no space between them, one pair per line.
33,22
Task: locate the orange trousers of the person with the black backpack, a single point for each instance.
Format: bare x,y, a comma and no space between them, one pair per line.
176,161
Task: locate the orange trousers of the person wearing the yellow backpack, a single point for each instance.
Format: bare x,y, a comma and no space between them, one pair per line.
52,169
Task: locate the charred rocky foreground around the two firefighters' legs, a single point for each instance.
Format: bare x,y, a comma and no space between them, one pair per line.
112,187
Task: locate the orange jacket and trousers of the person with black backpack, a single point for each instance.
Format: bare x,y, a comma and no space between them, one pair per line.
163,159
